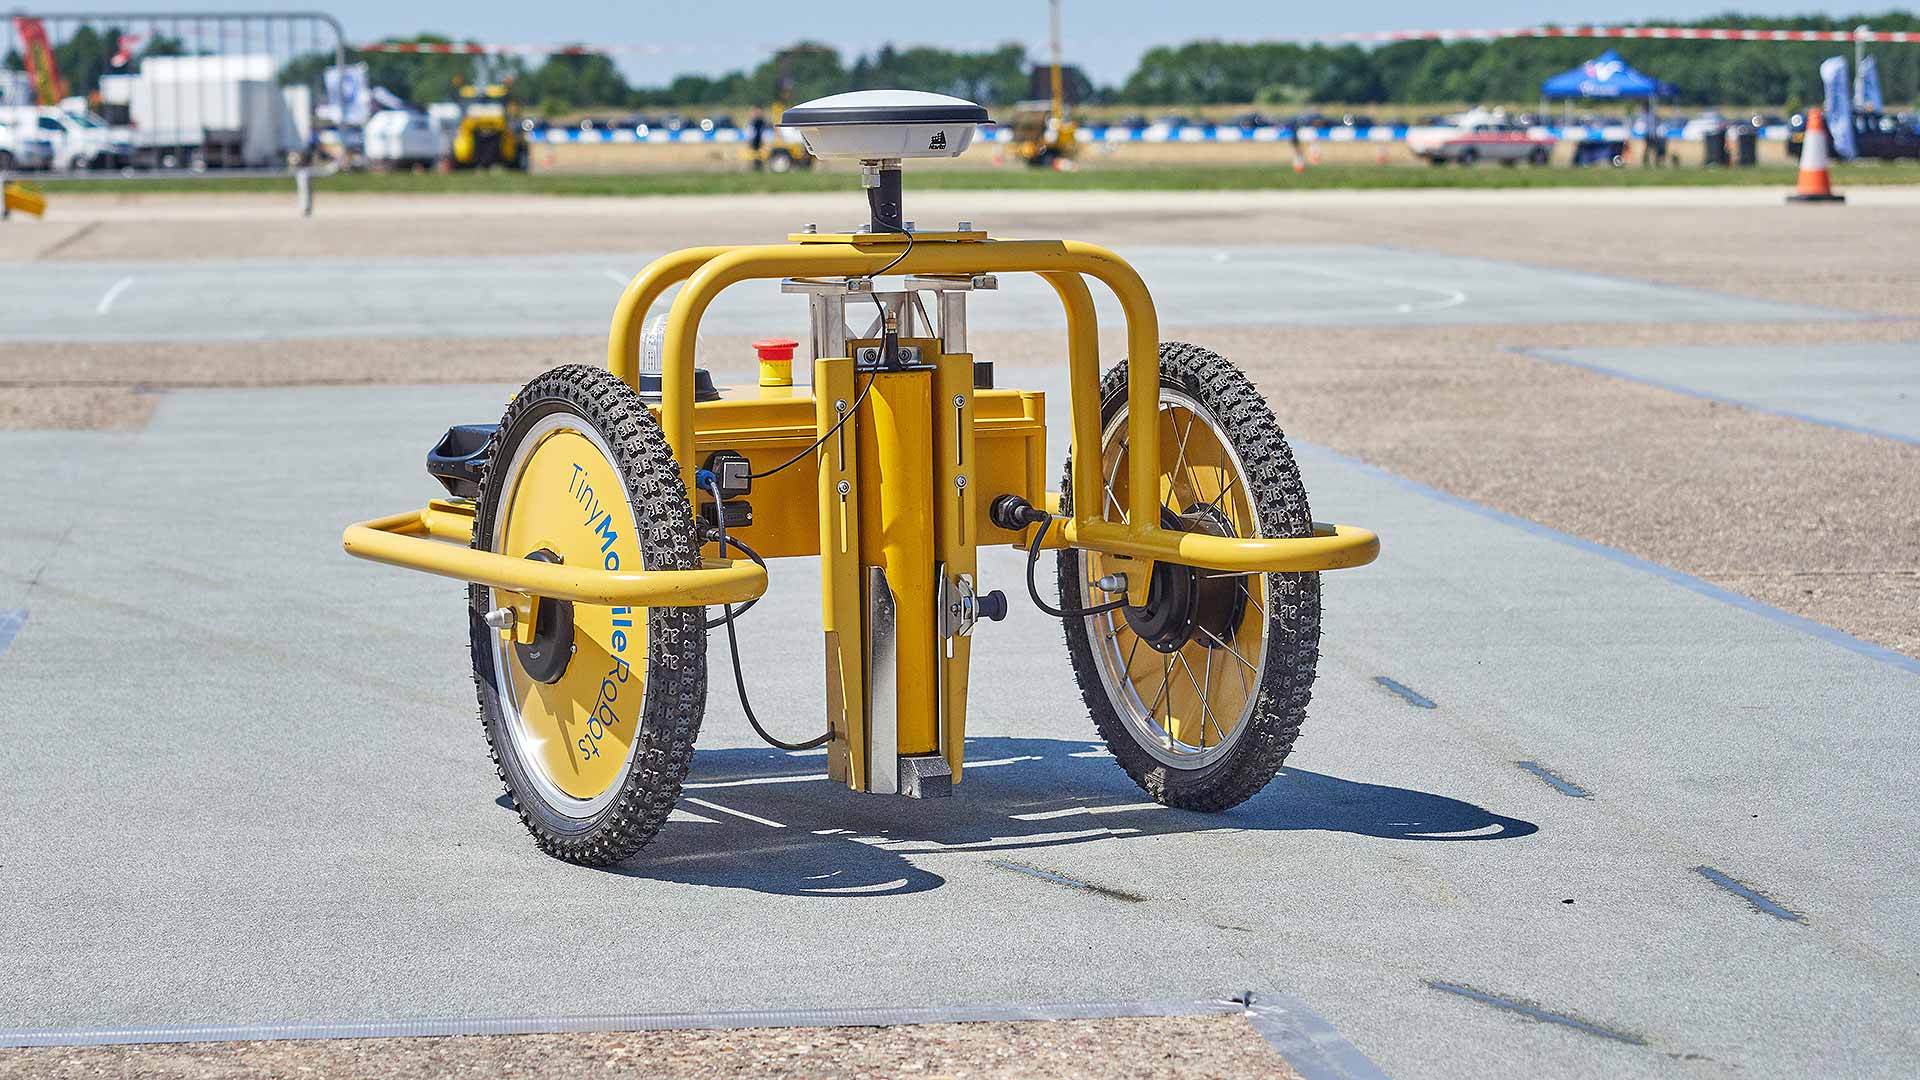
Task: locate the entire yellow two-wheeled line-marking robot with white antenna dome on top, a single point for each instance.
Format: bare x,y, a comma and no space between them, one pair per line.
612,508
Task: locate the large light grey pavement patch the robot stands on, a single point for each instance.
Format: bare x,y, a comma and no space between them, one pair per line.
247,785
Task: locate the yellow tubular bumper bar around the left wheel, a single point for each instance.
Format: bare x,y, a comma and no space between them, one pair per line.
435,541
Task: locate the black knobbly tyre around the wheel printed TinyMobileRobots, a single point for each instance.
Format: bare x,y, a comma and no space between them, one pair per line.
677,639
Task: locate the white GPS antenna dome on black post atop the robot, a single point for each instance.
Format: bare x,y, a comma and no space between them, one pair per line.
878,130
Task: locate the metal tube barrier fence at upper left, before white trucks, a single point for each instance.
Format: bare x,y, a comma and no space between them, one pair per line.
212,95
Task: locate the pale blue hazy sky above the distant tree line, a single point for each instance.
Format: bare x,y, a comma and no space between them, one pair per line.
1103,37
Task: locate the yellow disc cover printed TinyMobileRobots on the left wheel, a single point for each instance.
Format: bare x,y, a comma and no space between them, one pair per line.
569,499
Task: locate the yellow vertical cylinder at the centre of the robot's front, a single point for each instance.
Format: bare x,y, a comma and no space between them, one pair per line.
894,433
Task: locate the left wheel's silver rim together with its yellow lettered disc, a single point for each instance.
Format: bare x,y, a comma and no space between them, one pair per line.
573,727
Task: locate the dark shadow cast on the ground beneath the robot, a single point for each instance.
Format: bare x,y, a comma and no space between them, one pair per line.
769,822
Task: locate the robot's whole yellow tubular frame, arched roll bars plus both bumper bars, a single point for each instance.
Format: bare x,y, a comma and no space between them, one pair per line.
435,539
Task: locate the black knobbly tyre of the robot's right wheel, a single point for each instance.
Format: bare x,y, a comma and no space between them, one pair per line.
1293,601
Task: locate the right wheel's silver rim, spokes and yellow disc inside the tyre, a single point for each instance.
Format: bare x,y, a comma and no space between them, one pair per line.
1186,672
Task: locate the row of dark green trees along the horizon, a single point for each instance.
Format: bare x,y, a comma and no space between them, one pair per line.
1195,74
